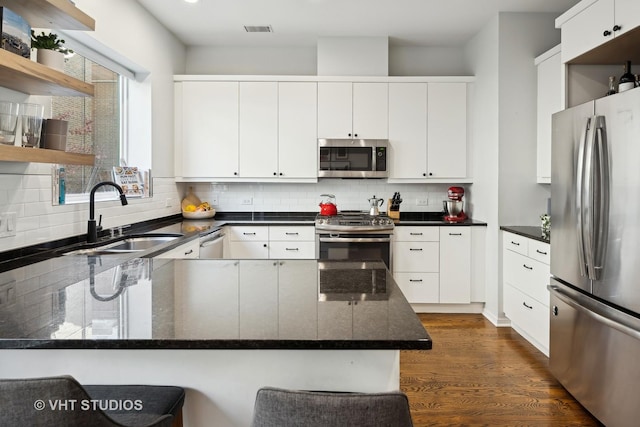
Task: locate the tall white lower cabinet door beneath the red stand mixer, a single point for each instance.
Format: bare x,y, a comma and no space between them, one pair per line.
455,265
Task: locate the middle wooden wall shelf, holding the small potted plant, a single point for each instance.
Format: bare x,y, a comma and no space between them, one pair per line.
27,76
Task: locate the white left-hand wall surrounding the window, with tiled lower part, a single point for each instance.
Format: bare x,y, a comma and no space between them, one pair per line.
25,188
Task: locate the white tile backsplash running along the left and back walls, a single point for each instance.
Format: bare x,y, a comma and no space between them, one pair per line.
27,192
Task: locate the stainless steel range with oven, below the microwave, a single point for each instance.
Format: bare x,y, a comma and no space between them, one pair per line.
354,236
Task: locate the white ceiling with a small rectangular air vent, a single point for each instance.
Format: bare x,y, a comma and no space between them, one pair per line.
301,22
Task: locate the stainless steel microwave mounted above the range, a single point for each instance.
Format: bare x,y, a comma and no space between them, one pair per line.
353,158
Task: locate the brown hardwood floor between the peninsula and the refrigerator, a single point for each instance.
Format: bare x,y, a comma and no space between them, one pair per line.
477,374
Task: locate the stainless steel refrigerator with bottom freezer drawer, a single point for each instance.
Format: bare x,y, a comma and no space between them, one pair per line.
595,256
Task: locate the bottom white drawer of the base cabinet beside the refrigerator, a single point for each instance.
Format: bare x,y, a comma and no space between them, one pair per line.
528,314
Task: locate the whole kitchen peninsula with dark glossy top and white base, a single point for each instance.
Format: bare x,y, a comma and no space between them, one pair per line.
219,328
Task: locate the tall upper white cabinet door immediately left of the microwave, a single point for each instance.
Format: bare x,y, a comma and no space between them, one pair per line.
297,130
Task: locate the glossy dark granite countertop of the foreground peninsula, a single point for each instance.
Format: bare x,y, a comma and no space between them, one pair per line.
151,303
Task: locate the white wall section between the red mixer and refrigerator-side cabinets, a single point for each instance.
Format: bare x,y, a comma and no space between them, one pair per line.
501,57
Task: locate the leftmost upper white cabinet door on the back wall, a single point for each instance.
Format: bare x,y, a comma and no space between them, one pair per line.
209,129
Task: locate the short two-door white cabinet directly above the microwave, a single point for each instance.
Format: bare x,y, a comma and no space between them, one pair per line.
353,110
